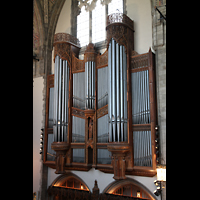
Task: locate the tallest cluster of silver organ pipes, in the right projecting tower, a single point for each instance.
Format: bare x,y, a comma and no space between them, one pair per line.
117,90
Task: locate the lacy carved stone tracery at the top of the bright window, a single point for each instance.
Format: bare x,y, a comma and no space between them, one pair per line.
91,4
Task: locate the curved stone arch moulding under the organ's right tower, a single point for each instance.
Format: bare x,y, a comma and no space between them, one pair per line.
112,187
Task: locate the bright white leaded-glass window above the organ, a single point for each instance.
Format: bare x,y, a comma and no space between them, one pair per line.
91,22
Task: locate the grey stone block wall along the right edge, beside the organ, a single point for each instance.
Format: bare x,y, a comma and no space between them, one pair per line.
159,46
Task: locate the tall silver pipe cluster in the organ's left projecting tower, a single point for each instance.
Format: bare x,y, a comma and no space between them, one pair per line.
61,90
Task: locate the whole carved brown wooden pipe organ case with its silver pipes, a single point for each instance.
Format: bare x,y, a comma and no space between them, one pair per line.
101,111
